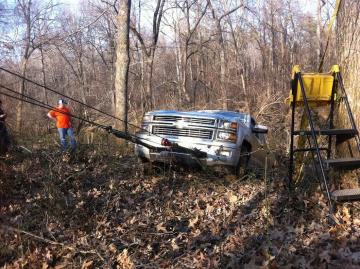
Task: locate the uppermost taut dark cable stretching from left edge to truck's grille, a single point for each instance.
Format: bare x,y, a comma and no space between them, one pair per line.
74,100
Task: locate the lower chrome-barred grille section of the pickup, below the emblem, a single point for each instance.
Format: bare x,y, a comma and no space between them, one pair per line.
172,131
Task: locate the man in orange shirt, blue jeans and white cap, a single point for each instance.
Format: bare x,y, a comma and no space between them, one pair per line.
63,122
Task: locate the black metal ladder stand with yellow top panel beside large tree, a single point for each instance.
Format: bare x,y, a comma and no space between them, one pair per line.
323,89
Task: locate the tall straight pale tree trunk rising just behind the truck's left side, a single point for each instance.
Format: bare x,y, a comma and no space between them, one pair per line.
122,64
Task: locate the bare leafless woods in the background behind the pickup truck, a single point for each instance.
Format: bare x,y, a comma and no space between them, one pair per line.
184,54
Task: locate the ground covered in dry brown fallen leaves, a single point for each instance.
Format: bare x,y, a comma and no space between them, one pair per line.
109,211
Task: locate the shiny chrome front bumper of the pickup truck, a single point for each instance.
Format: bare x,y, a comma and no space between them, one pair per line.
217,153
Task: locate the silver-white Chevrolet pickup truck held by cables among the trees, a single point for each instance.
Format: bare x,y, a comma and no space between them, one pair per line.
226,138
